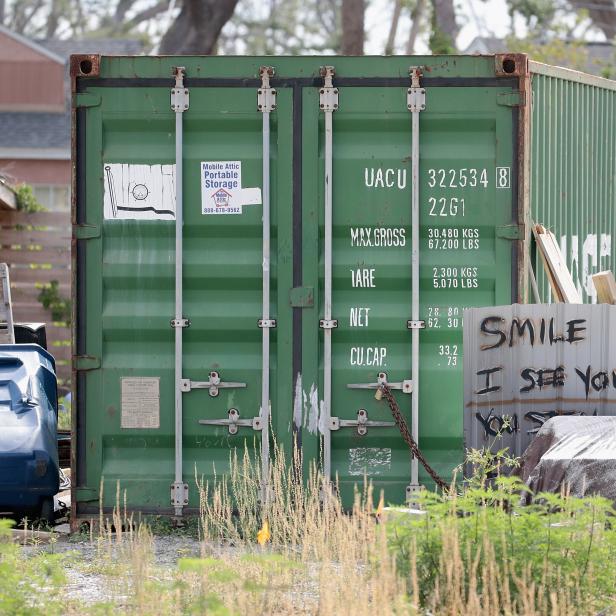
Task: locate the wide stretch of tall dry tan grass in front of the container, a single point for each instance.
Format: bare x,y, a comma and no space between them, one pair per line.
322,560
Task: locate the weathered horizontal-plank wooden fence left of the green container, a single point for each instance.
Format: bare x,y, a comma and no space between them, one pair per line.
38,249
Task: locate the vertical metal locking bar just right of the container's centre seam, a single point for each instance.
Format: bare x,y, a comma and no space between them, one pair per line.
328,103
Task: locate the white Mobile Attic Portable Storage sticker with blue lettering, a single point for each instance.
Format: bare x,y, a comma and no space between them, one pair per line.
221,188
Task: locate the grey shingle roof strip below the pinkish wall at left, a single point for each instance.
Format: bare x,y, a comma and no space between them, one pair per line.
35,130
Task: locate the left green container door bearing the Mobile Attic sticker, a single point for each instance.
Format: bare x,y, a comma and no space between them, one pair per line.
128,160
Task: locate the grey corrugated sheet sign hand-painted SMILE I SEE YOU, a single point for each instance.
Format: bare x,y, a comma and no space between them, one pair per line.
526,363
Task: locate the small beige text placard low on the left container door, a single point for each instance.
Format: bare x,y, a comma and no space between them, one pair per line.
140,402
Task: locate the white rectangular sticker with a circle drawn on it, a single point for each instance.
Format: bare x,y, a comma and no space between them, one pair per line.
138,192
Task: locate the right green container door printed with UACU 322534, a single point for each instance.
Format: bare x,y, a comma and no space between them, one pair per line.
466,154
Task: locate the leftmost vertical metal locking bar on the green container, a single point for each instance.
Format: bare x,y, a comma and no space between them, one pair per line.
178,490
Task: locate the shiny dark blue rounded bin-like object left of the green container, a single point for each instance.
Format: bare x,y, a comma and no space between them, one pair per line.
29,474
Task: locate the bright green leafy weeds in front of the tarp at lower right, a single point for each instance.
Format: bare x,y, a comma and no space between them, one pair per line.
557,541
